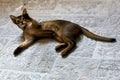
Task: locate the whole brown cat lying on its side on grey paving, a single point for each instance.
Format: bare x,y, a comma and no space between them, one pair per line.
63,31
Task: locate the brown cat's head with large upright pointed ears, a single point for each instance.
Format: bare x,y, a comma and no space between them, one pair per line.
21,21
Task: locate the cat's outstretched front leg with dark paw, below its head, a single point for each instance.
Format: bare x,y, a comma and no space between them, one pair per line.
23,46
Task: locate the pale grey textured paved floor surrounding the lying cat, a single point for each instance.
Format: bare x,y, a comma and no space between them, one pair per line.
92,60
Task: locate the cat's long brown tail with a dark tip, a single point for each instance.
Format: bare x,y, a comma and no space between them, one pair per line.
97,37
